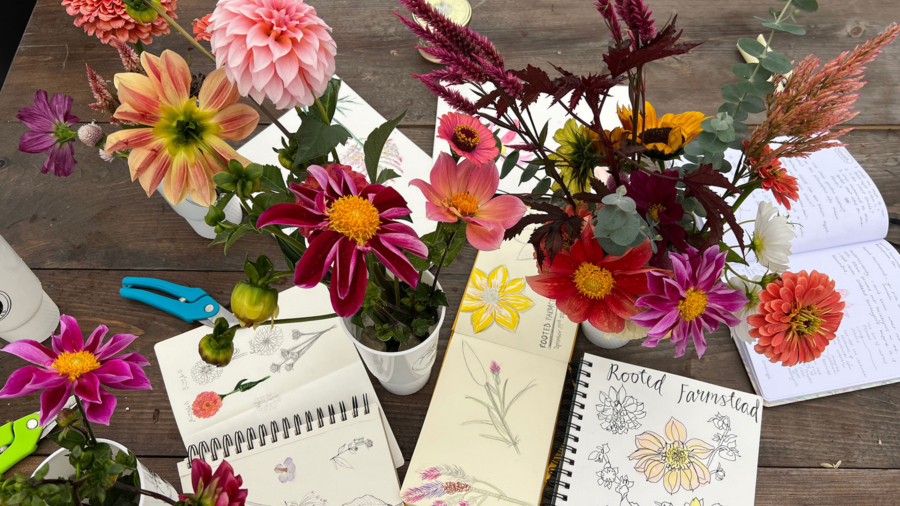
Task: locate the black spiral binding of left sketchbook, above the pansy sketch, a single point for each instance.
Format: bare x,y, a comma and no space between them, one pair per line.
268,432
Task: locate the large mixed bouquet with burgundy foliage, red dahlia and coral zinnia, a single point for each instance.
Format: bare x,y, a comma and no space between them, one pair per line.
657,188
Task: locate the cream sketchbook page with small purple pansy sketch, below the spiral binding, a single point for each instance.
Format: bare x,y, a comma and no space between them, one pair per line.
346,463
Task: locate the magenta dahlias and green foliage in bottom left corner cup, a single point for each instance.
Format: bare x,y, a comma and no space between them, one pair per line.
87,370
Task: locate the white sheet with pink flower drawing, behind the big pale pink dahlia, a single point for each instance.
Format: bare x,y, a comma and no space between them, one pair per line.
400,154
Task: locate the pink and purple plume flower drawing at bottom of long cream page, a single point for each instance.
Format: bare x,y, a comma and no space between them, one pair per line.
452,486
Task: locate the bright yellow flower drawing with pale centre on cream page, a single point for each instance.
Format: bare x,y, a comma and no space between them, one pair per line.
495,298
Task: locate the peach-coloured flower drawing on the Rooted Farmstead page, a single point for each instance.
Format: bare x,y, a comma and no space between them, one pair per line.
673,459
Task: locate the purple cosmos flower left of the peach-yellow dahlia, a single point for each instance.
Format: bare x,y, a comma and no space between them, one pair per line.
50,124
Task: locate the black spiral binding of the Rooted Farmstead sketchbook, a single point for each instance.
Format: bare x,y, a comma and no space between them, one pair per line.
567,428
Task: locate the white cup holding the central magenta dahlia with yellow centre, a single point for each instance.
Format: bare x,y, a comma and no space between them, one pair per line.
402,372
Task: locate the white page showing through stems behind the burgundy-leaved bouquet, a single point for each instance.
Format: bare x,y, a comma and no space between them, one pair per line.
542,111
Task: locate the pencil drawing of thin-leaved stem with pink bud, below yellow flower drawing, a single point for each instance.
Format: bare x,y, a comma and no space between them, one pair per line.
497,404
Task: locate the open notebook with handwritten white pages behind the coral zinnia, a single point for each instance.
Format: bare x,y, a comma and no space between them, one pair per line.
841,222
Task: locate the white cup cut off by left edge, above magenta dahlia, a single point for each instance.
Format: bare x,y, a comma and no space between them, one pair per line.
26,312
